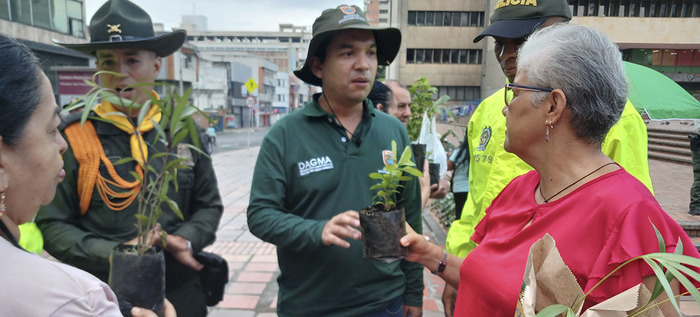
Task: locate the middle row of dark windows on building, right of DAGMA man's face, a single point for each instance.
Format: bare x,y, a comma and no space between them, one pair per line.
443,56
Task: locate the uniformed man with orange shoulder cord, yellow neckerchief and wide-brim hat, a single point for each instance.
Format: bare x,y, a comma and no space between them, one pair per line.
90,216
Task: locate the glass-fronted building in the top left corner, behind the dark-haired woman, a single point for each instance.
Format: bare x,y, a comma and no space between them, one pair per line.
37,23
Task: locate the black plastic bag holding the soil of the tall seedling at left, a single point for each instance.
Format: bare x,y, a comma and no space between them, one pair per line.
138,280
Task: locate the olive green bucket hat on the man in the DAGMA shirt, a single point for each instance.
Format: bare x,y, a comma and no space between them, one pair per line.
347,17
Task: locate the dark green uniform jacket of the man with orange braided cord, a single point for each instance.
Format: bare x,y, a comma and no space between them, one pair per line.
85,241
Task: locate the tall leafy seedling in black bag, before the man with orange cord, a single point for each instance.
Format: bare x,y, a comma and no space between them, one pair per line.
137,272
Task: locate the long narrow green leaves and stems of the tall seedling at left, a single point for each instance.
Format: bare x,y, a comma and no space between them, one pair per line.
174,126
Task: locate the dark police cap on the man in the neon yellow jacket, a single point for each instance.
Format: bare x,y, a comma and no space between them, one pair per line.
513,19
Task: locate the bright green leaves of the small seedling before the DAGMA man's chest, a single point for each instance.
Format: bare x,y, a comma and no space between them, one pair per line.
391,176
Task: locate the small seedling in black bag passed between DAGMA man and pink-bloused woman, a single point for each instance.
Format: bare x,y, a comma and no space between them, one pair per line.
383,223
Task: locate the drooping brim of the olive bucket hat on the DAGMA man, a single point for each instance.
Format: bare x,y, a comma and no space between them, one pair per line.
388,44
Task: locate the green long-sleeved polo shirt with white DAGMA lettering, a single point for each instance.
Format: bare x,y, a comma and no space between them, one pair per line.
307,172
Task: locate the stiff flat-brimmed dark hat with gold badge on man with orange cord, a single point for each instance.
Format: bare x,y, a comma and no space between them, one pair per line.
123,24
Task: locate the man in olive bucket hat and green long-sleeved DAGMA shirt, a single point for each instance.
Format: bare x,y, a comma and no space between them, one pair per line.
312,176
